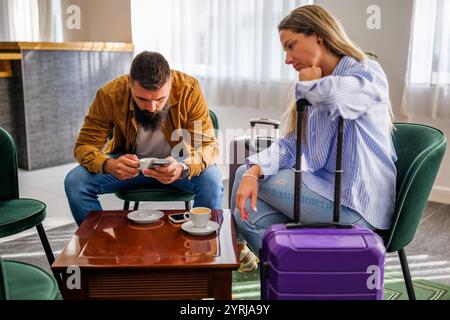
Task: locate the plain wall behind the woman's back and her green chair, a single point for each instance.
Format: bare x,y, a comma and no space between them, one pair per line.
391,45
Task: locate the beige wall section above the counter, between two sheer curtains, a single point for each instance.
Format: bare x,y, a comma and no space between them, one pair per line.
101,21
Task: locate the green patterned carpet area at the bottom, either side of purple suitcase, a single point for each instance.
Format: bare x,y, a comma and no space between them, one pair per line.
246,286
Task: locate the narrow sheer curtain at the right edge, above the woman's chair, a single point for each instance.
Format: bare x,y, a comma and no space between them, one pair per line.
427,88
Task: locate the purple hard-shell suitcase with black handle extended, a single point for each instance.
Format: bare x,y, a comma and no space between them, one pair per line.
321,261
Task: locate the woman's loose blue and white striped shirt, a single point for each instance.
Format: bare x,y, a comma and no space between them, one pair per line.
359,92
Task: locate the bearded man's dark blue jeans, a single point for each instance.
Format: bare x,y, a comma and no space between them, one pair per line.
82,189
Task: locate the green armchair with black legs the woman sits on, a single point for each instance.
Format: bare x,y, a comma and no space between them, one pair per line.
420,150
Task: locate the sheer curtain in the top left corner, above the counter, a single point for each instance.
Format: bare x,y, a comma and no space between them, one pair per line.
30,20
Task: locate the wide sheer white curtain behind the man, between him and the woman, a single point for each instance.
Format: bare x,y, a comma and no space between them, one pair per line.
231,46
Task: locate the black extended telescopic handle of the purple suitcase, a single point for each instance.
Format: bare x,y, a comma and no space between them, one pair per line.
301,106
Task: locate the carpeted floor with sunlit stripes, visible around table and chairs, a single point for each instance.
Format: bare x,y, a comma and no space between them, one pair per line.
246,285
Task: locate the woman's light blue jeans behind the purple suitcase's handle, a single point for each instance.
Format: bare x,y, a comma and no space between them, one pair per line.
276,205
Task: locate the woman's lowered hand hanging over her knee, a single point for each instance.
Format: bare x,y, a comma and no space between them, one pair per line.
248,188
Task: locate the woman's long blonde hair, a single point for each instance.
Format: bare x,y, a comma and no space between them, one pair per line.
309,20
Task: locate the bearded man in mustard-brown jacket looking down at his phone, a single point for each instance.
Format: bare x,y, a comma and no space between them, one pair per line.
141,115
